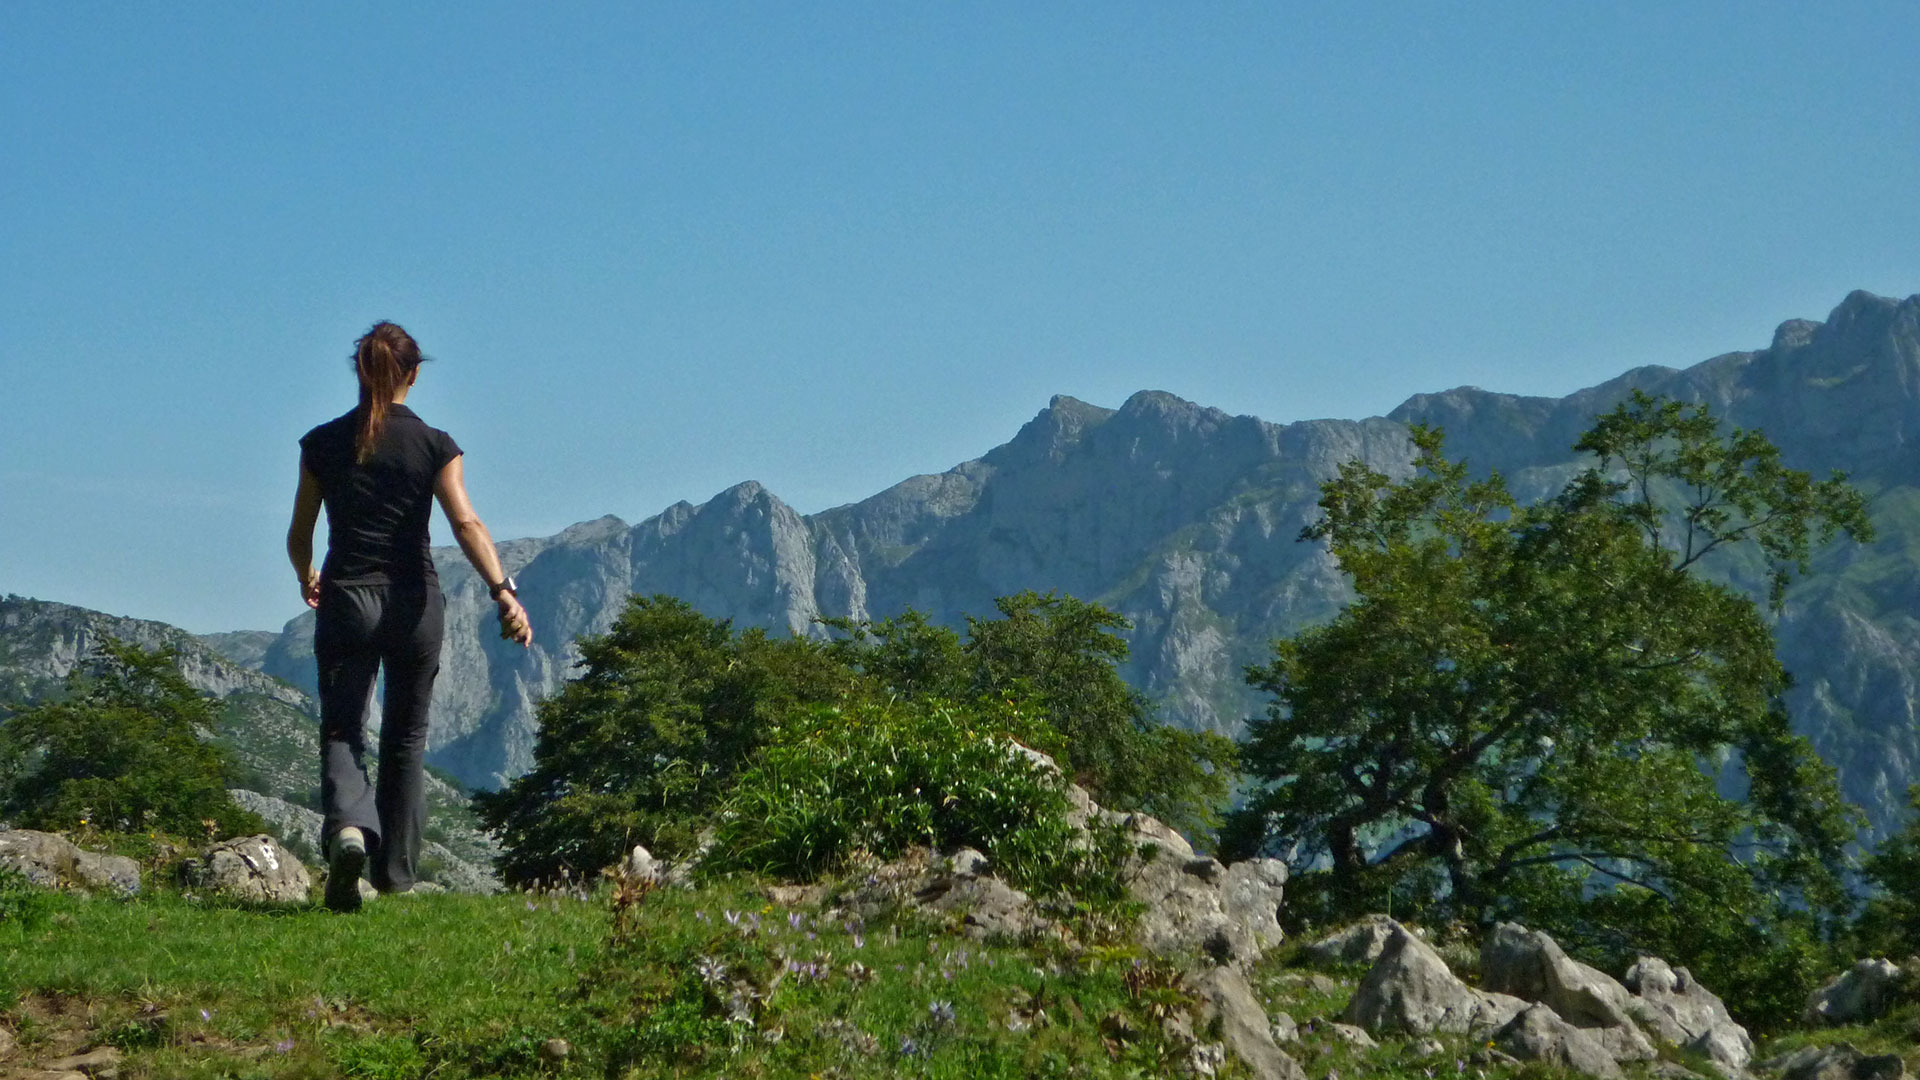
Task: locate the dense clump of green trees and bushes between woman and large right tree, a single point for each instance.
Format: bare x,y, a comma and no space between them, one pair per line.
679,716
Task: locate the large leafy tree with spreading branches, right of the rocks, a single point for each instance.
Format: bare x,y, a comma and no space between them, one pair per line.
1527,706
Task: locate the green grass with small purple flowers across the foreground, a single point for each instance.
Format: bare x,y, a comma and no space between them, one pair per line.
454,987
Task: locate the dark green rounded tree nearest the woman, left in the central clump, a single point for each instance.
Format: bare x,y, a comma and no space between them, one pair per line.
640,749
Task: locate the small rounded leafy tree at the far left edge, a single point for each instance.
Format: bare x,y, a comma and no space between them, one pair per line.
122,750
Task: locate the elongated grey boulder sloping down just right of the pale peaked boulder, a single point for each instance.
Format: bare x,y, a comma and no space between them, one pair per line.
1533,968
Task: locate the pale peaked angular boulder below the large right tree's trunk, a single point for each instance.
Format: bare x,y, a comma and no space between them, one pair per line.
1412,993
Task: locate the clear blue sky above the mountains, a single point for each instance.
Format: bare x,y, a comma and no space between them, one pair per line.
660,249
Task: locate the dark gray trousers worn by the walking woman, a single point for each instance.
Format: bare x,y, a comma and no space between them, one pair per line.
360,629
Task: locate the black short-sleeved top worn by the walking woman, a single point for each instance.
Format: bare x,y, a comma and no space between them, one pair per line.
377,512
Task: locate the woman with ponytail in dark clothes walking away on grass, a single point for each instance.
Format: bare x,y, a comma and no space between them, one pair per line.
377,472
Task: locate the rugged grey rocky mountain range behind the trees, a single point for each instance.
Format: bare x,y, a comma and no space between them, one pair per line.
1186,520
